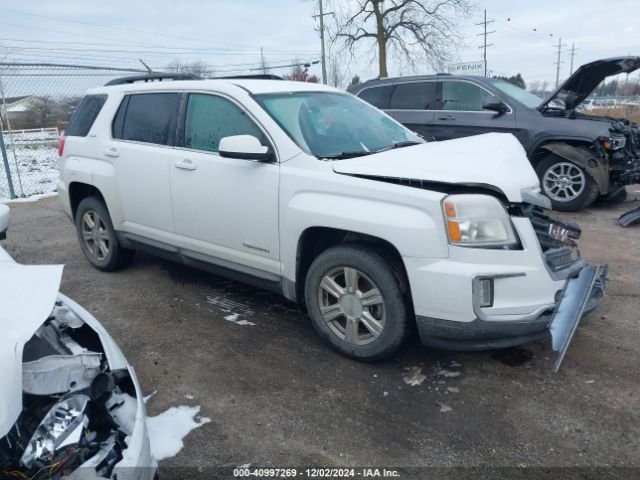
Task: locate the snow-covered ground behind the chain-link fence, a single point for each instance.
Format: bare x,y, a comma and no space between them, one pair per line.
34,169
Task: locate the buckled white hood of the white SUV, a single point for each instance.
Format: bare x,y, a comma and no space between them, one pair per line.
492,160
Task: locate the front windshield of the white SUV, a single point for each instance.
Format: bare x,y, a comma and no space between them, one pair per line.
335,125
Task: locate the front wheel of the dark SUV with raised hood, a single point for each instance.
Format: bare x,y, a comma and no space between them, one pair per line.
568,186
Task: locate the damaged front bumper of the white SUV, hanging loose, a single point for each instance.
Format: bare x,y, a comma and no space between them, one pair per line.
541,289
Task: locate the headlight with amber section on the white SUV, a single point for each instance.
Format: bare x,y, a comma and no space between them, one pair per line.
478,221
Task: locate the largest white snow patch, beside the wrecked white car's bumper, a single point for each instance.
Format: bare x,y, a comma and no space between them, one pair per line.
167,430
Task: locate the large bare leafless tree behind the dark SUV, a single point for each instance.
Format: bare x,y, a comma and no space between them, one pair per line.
425,28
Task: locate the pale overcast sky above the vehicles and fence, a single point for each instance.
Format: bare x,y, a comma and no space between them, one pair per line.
228,34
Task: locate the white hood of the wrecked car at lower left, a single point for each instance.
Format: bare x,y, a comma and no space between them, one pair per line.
27,296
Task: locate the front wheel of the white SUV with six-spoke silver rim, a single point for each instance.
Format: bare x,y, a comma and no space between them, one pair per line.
356,304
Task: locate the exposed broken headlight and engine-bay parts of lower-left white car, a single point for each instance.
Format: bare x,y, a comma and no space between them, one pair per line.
76,412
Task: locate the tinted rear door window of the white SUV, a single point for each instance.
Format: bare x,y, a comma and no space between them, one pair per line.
148,117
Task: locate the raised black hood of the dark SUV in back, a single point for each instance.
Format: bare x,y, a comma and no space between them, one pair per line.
586,78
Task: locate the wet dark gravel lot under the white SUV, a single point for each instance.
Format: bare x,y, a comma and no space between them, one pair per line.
278,397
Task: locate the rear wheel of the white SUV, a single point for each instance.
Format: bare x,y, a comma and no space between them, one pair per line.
97,237
